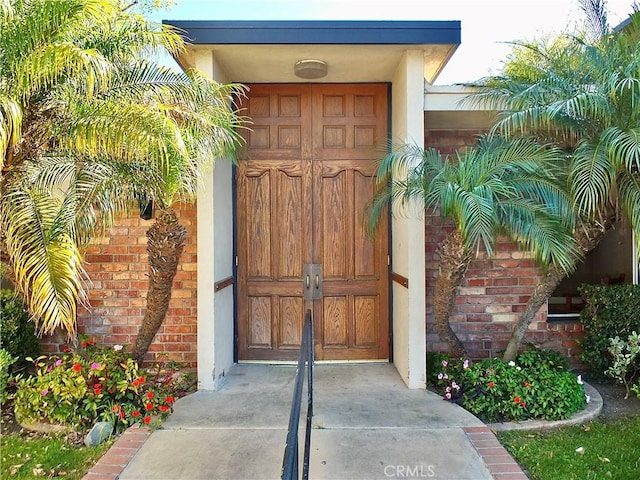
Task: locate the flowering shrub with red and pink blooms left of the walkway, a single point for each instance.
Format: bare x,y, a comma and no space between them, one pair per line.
92,384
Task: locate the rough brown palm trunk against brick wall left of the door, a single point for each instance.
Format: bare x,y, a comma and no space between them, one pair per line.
166,239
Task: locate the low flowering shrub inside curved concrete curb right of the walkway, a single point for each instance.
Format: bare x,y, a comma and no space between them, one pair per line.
536,385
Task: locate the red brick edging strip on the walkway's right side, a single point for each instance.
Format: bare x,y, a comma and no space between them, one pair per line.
497,459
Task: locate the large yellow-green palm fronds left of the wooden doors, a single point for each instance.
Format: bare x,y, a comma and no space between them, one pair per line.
88,123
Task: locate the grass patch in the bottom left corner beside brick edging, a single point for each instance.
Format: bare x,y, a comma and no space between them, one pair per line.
26,457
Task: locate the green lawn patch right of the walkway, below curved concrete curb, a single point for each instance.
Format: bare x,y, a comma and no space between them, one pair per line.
610,450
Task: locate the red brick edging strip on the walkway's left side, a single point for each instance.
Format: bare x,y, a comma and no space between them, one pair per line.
114,461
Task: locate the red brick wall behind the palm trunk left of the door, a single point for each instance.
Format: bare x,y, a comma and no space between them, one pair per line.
117,265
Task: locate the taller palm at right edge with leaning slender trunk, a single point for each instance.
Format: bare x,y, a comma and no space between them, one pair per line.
582,94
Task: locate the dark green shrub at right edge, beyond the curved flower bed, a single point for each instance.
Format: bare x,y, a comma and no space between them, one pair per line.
610,310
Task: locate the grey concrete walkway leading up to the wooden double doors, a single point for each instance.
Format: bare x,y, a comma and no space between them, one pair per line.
367,425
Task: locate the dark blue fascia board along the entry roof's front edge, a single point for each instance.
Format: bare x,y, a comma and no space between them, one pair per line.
317,32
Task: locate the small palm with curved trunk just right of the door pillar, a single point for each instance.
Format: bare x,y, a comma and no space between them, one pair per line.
496,188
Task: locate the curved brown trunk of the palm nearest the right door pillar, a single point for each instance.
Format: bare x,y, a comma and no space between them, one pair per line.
454,261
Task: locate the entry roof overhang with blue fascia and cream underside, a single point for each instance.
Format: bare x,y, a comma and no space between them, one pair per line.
355,51
